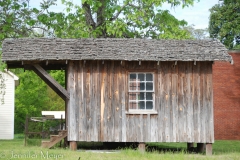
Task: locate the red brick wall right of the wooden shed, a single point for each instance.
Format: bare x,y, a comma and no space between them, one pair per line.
226,92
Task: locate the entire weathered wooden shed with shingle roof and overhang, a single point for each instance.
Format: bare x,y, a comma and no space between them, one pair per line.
128,90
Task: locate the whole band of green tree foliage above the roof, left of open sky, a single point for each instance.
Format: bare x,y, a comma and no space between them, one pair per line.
100,18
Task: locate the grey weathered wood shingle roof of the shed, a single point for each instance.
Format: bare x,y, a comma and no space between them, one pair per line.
40,49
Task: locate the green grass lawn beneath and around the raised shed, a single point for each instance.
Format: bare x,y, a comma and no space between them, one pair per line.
15,149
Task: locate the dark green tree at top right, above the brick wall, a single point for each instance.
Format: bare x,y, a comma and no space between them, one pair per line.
224,23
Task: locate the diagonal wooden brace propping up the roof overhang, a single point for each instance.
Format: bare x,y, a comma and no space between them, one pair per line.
51,82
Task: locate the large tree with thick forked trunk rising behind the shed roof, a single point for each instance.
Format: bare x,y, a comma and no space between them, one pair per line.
112,18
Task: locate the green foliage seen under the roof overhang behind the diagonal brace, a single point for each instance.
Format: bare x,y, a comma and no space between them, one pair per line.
34,96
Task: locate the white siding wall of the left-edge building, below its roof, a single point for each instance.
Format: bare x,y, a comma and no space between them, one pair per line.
7,109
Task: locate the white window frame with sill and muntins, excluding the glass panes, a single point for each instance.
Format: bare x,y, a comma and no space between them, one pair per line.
141,111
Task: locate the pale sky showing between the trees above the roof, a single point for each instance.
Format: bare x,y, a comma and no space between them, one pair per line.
198,15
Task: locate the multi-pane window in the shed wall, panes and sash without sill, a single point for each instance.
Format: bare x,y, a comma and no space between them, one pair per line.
141,91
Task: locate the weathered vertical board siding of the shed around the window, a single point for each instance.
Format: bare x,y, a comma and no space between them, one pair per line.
98,102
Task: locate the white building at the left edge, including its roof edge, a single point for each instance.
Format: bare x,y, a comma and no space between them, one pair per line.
8,81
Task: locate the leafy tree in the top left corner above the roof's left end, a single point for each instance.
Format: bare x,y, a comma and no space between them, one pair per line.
17,19
